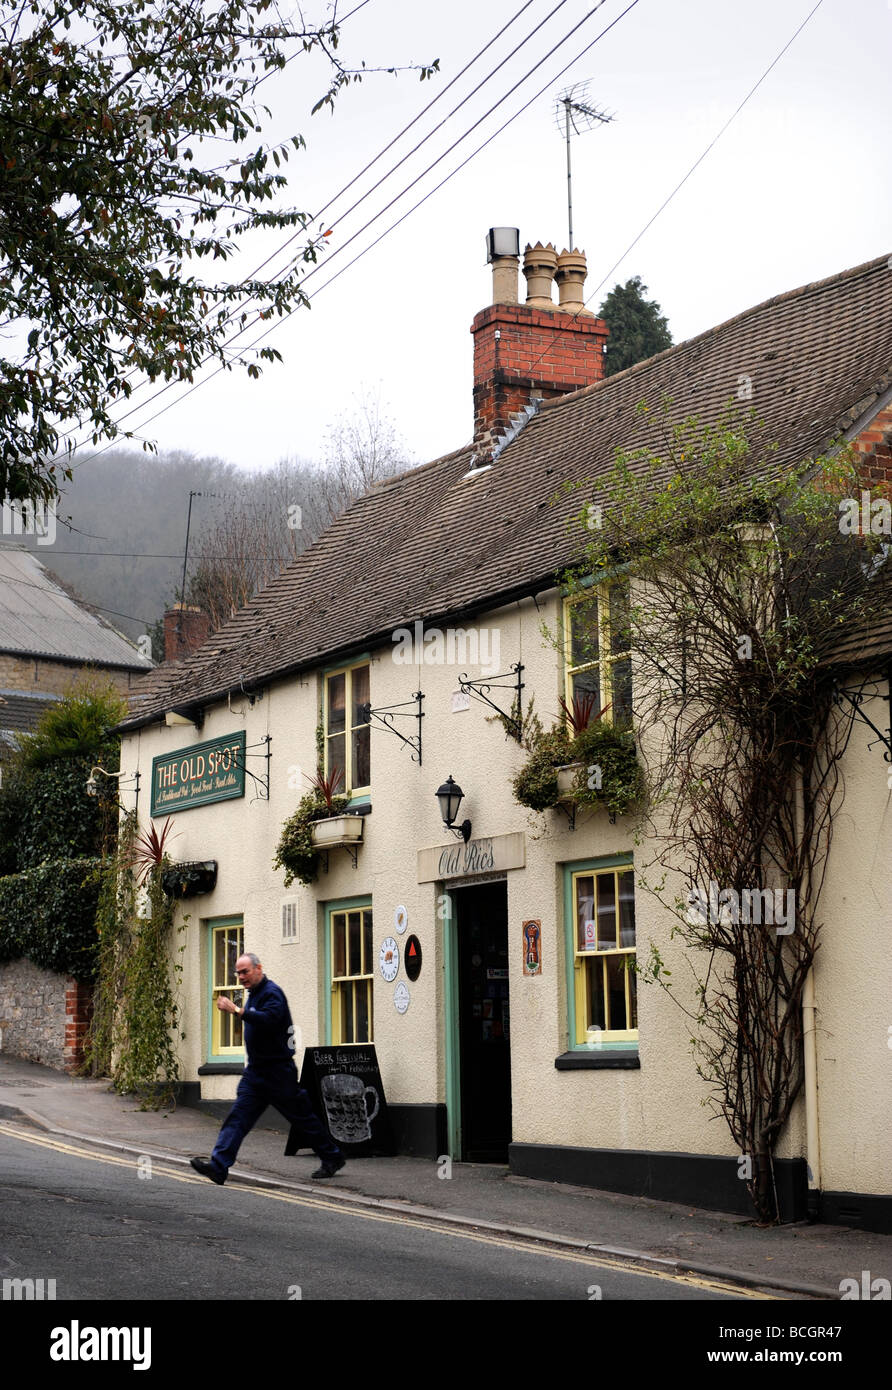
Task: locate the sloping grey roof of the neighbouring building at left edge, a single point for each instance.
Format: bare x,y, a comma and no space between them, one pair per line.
40,619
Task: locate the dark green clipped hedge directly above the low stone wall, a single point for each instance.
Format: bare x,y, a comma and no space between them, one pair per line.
49,915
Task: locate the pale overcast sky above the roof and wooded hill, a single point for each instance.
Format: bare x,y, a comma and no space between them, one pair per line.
797,190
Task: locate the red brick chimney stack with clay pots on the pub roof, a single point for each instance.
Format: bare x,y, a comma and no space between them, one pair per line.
533,351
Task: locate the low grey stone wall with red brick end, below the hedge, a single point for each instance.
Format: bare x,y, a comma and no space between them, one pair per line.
44,1017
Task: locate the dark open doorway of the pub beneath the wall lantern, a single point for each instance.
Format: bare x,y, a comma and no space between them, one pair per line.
484,1022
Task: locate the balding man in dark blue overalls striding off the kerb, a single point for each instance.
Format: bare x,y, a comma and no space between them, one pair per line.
270,1078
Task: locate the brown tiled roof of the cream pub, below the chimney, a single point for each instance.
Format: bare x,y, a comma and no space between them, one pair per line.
436,544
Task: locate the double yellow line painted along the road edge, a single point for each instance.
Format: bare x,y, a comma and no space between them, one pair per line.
395,1220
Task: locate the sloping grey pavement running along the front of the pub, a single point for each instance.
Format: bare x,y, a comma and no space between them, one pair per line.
797,1261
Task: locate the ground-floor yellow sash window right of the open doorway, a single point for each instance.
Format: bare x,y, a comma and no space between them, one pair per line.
602,954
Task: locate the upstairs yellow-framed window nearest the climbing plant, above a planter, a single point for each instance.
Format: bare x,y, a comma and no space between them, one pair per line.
597,643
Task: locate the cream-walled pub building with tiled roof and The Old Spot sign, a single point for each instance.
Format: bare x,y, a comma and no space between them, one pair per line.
484,950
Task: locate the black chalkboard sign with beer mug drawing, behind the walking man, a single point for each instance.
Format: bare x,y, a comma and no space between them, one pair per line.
348,1096
